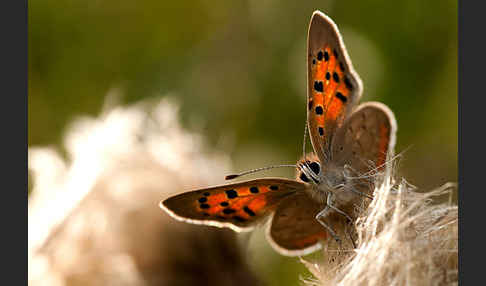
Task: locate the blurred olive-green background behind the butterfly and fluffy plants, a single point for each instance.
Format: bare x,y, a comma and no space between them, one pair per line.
238,70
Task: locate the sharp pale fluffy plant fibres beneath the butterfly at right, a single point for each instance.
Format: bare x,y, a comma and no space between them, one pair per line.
404,238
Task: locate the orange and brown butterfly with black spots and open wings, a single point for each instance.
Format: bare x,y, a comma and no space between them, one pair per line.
351,144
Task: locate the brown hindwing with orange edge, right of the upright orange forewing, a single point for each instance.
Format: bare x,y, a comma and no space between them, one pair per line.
366,139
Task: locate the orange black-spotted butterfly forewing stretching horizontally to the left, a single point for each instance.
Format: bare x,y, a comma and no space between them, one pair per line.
237,206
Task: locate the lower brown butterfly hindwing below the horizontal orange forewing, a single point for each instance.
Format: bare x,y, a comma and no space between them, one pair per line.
294,231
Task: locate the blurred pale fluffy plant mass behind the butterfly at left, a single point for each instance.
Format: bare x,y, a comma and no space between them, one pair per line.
94,220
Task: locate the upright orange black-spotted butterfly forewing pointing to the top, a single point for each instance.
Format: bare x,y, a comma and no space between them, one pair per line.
333,87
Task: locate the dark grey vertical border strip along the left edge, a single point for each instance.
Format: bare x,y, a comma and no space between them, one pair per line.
14,29
